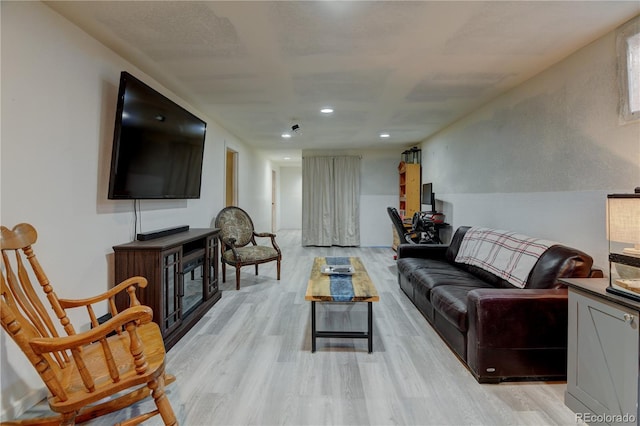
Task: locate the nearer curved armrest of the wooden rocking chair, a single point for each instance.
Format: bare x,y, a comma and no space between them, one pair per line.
142,314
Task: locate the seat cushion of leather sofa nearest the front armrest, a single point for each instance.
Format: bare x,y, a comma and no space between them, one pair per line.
450,301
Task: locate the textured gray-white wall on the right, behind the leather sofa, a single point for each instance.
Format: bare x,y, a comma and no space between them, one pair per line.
541,158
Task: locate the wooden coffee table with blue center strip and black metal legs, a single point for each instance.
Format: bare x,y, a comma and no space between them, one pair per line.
355,286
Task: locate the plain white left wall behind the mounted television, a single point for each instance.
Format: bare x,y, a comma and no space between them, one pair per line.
59,89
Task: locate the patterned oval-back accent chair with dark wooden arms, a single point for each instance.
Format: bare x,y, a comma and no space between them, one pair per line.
238,242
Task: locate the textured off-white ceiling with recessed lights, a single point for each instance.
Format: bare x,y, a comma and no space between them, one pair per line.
406,68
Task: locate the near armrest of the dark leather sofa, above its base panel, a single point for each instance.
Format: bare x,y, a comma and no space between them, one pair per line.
517,318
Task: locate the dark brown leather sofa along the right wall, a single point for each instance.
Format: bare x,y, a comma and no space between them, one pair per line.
499,331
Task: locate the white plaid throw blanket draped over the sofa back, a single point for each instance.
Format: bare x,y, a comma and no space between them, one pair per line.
508,255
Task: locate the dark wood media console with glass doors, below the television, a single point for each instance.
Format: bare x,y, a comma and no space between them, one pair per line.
182,270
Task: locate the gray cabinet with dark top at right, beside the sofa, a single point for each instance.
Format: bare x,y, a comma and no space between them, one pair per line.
603,356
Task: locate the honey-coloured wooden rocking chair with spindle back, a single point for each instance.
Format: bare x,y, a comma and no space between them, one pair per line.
88,374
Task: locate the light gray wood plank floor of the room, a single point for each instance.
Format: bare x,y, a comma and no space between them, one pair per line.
248,361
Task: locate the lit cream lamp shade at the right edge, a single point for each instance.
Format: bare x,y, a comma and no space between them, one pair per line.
623,218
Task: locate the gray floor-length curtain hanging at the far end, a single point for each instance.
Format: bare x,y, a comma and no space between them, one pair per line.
331,201
